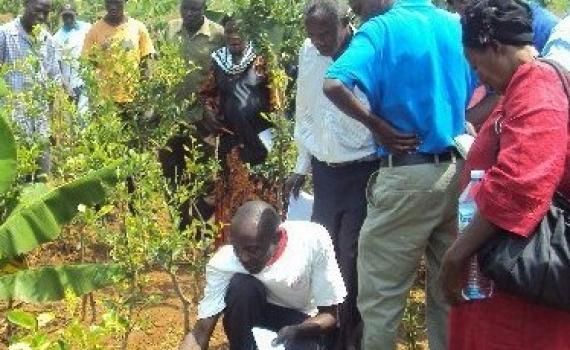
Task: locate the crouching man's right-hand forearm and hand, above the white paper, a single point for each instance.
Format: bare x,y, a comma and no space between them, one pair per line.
324,322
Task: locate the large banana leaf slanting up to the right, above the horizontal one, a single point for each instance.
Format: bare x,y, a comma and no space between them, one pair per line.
40,221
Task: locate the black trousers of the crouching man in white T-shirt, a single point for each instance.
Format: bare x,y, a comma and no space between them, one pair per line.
247,307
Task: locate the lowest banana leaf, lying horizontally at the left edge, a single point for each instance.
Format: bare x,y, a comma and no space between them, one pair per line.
50,283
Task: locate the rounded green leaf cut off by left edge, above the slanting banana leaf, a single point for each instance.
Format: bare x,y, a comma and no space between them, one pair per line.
8,156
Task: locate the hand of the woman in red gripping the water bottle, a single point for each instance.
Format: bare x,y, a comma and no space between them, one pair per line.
451,276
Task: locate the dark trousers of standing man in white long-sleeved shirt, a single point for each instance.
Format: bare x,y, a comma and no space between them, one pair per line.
340,206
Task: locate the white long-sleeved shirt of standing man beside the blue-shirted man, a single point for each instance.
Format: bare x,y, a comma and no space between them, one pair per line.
321,129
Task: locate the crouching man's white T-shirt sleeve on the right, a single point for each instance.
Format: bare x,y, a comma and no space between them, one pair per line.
328,287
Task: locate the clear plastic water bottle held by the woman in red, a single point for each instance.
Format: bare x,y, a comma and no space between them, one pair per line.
478,286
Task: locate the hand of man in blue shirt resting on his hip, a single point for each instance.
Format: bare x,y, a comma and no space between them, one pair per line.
395,141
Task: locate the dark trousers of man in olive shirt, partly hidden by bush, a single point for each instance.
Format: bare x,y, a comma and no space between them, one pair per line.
173,161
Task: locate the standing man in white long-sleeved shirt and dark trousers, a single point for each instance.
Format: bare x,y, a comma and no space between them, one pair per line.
340,151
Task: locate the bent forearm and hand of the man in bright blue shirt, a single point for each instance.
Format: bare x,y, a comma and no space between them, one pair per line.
383,132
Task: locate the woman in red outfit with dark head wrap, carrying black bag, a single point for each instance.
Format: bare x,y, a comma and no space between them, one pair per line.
523,148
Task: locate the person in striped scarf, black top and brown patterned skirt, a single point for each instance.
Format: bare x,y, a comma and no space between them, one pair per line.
237,94
